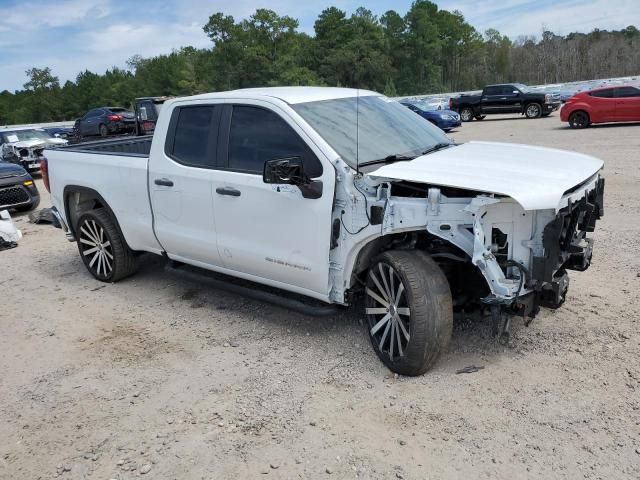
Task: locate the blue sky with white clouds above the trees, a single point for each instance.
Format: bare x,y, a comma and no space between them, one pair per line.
73,35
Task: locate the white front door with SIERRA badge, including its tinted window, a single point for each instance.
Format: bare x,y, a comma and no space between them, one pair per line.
270,231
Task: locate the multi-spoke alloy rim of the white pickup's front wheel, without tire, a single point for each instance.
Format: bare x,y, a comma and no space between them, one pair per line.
388,311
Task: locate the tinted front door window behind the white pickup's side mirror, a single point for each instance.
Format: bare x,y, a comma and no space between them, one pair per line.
257,135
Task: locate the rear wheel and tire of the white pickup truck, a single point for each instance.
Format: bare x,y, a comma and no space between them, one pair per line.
102,248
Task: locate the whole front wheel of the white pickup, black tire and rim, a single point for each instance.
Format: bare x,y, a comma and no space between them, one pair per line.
422,329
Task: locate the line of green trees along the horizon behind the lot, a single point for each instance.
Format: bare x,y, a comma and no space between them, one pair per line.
427,50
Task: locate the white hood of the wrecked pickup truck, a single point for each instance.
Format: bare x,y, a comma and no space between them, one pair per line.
535,177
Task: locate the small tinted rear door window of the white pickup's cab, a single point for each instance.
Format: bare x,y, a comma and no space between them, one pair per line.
192,142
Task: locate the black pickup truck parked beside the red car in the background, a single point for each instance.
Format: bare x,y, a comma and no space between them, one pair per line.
505,98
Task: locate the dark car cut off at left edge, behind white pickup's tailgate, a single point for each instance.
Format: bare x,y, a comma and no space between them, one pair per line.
17,188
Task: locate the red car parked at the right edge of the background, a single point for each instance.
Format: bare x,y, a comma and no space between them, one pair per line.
609,104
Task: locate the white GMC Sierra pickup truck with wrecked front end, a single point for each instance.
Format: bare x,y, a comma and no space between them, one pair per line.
340,195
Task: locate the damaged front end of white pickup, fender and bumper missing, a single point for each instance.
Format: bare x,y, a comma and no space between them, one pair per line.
498,254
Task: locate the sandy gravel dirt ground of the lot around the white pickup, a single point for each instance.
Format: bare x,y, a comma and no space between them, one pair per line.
156,377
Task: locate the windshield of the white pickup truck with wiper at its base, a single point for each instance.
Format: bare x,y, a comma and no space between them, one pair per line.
386,128
